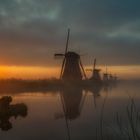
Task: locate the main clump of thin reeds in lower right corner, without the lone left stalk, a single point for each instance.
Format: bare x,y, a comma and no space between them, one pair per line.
127,128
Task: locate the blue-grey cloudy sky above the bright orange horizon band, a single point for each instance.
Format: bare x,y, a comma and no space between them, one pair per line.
32,30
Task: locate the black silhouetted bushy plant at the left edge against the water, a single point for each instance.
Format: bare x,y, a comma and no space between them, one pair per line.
7,111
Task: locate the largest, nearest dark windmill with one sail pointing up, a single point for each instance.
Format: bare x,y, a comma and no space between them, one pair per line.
72,68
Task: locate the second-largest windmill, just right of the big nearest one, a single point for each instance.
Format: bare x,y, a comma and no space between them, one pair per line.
95,73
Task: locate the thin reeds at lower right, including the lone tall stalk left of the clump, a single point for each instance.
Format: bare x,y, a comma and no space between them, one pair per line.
122,128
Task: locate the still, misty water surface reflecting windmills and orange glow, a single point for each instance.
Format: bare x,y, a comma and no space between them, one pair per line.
72,114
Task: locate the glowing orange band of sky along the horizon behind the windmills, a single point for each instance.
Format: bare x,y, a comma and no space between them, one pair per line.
26,72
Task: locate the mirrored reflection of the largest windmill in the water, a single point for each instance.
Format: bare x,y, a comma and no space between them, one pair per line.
72,103
